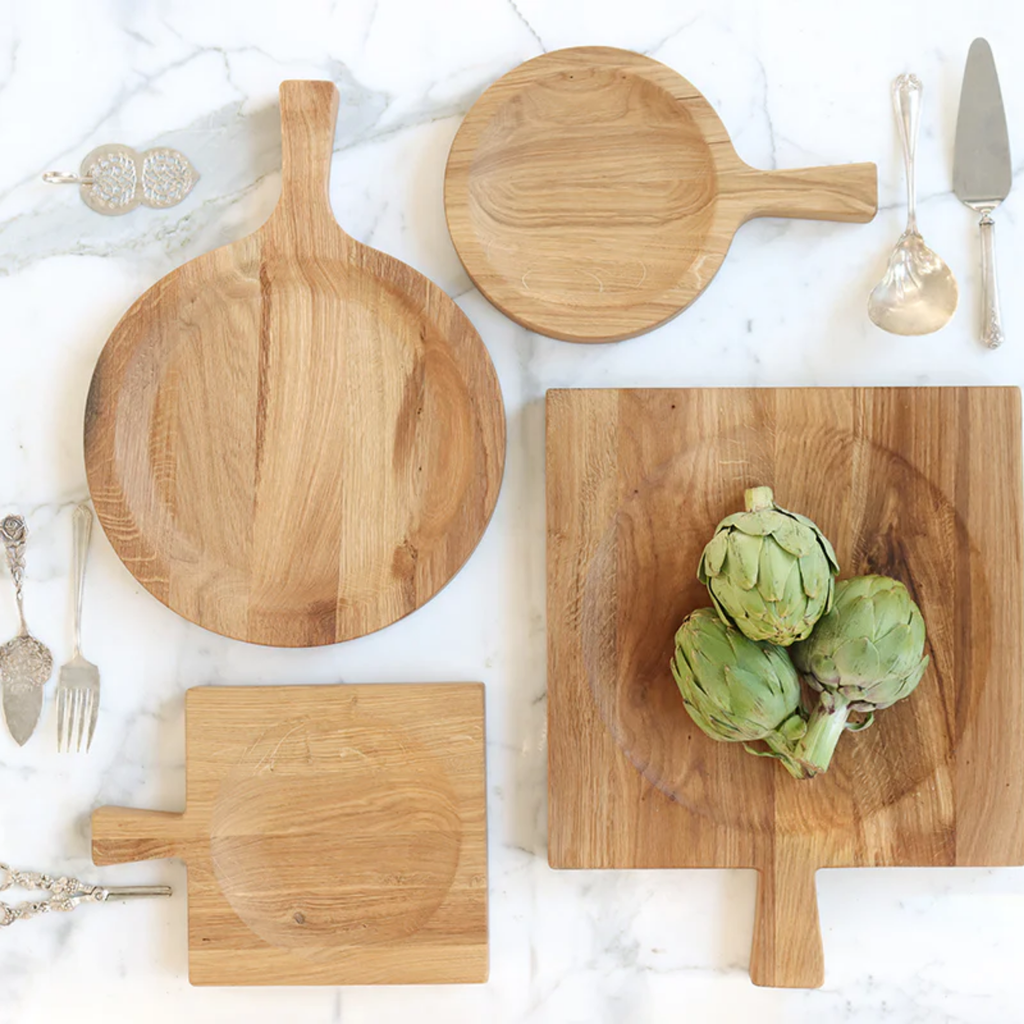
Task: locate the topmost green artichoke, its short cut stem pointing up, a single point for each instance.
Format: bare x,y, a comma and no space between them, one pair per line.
770,572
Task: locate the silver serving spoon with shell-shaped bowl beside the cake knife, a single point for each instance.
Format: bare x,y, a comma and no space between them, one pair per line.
919,293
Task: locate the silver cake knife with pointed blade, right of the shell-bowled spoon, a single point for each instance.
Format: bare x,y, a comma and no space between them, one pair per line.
983,174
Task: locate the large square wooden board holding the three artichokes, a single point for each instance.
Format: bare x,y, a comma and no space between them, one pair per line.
924,485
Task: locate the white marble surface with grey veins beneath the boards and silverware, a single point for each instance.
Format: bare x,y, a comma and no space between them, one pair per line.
797,82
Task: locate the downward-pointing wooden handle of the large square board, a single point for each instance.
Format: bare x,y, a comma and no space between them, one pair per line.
787,951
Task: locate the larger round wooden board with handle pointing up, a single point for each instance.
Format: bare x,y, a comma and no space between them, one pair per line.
295,440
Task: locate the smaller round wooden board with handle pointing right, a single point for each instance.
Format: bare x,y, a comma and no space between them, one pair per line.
593,193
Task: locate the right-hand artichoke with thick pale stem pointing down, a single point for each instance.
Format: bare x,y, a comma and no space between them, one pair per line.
866,655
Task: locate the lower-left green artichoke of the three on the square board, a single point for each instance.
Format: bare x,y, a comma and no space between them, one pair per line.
739,691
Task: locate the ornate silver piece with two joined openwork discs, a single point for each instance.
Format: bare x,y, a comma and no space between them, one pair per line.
115,180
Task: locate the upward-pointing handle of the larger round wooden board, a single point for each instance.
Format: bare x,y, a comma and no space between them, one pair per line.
309,116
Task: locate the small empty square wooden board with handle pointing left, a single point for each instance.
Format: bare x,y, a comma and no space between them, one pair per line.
334,835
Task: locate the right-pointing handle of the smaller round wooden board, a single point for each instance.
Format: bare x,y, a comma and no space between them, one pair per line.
848,193
